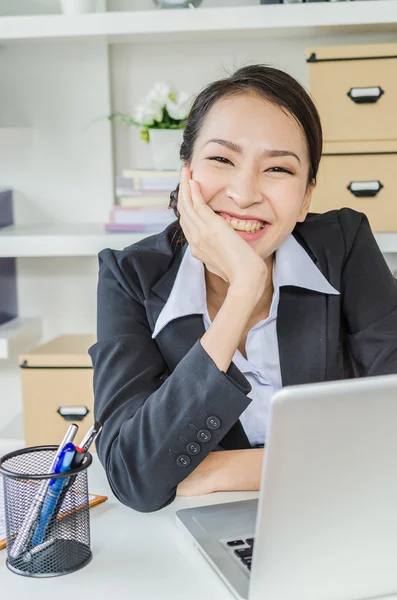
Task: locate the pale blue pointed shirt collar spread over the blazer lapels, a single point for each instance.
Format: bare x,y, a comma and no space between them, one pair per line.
293,266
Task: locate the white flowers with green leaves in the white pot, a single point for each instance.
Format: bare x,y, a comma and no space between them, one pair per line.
164,107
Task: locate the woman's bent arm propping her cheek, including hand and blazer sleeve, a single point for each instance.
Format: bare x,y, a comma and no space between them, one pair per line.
149,415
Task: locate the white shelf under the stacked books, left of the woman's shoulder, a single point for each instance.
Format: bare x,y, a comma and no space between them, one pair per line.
62,240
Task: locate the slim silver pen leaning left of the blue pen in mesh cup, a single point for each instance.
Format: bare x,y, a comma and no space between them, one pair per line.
29,522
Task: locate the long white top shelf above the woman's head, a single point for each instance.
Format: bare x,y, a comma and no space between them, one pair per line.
234,22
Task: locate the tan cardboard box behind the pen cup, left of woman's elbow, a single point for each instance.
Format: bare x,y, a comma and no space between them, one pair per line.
57,389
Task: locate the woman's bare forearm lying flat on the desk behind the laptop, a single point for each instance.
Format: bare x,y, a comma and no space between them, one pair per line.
230,470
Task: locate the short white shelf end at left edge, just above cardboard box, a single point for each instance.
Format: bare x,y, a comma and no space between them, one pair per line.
19,335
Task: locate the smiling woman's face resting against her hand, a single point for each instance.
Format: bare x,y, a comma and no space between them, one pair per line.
251,160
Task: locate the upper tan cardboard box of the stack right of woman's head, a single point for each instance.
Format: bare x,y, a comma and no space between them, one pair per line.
355,91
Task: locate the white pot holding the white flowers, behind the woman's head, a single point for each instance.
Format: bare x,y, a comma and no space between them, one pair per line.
165,145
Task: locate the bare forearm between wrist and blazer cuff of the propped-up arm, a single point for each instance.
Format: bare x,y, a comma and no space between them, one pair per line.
222,338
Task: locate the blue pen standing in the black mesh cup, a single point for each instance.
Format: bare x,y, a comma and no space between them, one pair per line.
54,489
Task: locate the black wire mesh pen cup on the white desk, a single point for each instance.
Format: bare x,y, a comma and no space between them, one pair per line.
40,543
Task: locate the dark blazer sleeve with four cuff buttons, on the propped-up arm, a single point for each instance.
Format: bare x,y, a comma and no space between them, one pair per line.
149,415
